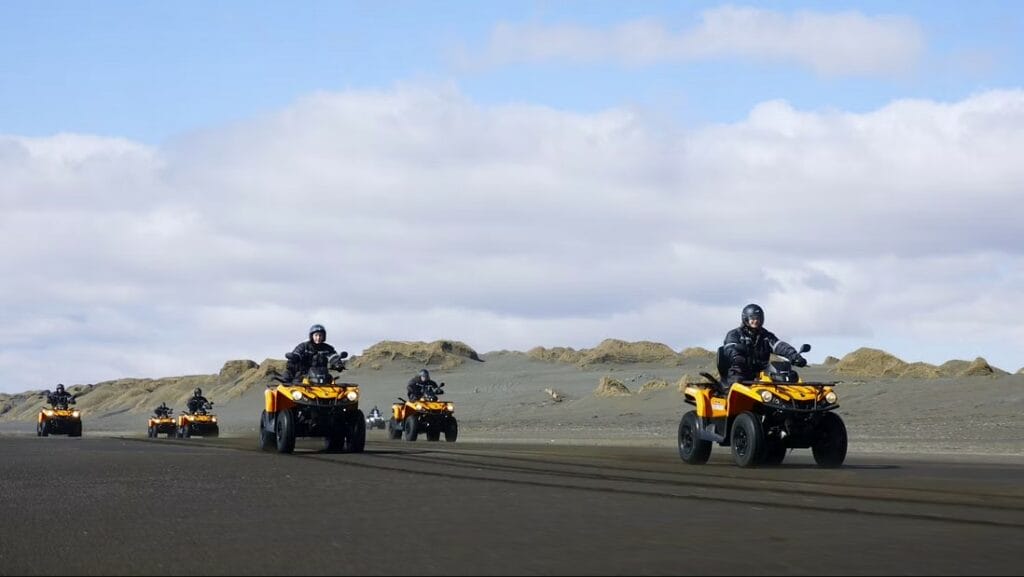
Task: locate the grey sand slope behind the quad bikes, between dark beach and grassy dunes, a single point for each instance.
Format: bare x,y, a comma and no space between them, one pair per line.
504,399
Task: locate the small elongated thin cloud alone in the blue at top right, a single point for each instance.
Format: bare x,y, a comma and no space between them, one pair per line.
837,44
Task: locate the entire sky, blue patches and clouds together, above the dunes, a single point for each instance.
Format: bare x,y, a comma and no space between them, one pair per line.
185,184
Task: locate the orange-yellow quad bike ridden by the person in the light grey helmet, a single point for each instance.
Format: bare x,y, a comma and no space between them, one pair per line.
317,406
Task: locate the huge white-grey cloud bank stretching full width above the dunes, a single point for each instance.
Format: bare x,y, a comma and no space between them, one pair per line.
417,214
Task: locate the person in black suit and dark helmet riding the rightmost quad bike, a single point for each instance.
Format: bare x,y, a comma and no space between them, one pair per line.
750,347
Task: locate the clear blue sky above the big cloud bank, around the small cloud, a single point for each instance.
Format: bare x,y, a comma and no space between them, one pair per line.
149,71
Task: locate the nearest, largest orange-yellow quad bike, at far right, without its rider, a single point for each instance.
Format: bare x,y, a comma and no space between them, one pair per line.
762,420
